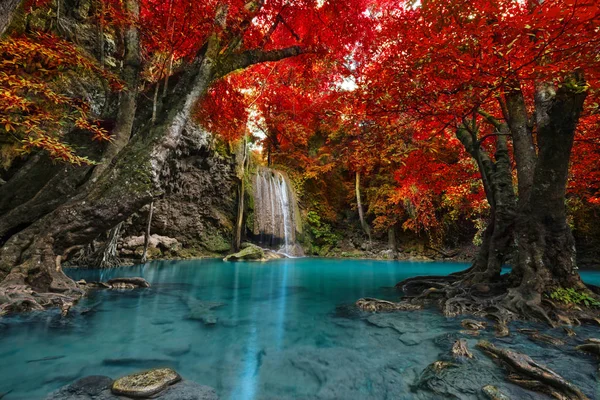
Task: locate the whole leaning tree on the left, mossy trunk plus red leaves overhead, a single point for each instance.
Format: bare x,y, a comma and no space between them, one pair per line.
208,41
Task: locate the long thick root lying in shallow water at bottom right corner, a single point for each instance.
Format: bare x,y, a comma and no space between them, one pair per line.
531,375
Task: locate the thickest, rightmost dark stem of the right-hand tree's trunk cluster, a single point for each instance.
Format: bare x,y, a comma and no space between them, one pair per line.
545,242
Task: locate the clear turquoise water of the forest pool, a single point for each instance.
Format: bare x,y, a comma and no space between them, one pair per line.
286,330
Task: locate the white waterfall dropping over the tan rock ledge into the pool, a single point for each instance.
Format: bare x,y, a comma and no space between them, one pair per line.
276,216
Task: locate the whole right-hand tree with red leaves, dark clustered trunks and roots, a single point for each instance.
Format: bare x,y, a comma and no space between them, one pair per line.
510,80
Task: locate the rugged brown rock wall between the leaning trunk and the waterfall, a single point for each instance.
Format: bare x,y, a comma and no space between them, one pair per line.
199,204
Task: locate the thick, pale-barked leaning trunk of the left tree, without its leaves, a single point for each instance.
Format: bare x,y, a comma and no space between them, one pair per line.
32,257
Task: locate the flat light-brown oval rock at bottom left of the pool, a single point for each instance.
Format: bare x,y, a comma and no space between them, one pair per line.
145,384
